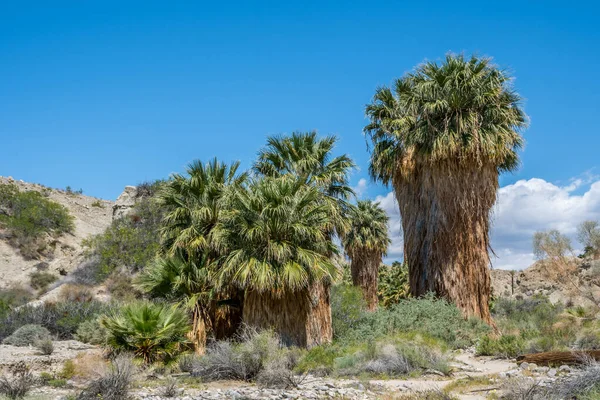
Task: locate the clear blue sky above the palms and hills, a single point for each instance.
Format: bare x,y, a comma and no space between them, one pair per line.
99,95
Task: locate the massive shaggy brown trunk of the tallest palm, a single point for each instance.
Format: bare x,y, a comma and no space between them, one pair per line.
445,213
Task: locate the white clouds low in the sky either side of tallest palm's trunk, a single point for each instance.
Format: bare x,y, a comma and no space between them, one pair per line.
522,208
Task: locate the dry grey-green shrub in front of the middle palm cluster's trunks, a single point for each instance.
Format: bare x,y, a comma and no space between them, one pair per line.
243,360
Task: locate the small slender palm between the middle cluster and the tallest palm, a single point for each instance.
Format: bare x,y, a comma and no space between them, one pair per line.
366,243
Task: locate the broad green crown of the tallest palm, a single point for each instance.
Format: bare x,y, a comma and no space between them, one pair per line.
463,110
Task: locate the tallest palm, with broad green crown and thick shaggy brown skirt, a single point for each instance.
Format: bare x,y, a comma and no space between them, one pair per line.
441,136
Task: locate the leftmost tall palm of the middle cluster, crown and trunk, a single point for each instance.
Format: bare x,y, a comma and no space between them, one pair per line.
194,203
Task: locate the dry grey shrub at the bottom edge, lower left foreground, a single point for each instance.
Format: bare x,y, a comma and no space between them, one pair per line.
114,384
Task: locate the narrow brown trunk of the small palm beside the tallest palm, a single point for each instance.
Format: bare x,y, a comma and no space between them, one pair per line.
365,270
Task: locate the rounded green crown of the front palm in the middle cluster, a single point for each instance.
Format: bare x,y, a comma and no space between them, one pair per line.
274,237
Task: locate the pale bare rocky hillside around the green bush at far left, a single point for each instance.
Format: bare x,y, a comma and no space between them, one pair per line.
91,216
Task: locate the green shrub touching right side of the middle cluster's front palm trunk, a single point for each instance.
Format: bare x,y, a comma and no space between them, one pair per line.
347,307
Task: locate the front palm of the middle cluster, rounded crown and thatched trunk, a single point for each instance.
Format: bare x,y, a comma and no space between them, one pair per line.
274,244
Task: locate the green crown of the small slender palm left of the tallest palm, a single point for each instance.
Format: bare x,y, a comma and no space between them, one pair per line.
368,230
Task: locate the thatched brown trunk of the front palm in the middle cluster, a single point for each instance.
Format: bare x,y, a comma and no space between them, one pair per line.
301,318
